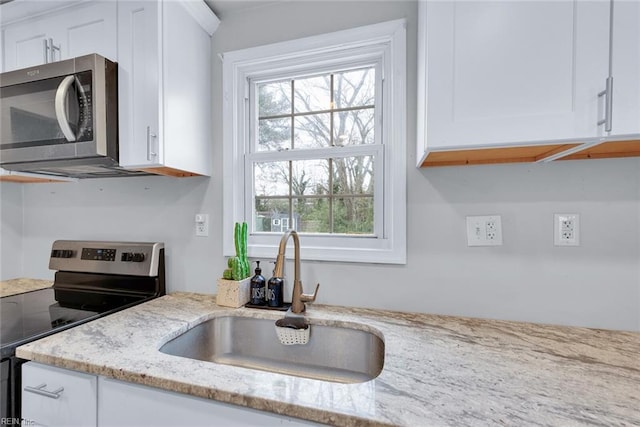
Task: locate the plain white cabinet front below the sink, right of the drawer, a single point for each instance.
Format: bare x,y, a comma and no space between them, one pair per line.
123,404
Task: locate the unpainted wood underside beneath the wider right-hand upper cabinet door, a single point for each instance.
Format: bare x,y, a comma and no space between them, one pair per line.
494,155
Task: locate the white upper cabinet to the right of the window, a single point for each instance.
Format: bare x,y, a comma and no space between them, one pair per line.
523,73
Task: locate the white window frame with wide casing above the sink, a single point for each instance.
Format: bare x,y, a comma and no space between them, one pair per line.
385,42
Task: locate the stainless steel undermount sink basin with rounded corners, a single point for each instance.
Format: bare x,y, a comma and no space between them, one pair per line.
333,353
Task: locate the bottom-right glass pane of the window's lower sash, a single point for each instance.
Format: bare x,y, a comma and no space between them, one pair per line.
353,215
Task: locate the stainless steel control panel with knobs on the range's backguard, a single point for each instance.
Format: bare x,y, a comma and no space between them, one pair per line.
131,258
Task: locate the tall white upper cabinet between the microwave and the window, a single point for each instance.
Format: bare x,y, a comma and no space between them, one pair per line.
165,86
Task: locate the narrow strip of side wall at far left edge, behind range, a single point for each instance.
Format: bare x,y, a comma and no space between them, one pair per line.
10,231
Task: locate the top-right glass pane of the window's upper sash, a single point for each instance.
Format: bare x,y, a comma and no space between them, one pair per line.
354,88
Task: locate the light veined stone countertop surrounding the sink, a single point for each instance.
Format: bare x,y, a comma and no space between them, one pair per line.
438,371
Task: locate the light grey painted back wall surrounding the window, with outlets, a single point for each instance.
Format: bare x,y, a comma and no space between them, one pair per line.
596,284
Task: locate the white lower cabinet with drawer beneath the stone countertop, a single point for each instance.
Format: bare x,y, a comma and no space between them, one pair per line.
70,398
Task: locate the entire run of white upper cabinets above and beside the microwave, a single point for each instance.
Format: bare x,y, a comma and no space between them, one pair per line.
163,50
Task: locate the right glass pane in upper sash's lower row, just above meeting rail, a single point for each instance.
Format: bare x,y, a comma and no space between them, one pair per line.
353,127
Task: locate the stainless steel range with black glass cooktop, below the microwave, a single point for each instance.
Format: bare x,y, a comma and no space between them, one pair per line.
92,279
